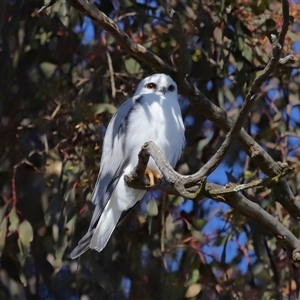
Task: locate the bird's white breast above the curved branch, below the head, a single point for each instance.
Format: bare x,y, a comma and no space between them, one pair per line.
156,118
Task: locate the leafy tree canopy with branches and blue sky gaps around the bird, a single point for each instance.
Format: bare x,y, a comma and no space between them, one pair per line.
225,223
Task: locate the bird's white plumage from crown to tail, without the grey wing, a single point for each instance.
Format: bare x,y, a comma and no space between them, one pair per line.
156,118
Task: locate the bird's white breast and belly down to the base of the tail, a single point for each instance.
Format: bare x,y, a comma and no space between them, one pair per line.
158,119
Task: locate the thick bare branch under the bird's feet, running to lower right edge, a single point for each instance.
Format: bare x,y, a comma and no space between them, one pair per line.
174,183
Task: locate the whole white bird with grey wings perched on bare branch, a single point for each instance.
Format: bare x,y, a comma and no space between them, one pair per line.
152,114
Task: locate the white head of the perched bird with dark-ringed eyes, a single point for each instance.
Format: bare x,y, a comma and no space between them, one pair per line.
158,84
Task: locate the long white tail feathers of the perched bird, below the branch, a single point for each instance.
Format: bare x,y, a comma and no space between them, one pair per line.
106,225
